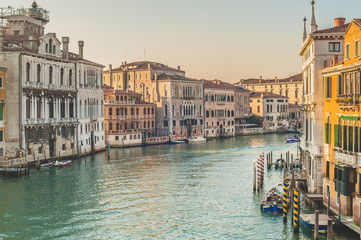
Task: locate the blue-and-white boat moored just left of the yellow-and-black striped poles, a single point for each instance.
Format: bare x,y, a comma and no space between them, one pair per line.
272,202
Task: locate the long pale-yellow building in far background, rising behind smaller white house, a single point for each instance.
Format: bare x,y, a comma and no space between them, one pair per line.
290,87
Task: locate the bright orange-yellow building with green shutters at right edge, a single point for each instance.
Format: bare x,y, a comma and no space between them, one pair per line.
342,127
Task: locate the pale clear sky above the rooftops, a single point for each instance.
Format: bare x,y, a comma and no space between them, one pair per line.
209,39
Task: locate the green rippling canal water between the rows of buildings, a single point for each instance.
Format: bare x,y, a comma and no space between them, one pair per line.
185,191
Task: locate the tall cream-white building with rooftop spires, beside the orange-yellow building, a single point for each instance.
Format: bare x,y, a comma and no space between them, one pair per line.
317,51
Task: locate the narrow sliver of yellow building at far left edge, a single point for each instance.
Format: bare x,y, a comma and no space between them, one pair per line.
2,112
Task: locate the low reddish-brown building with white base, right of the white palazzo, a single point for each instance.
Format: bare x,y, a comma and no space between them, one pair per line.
129,121
